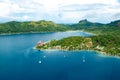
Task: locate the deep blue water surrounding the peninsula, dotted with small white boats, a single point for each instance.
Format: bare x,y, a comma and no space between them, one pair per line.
19,61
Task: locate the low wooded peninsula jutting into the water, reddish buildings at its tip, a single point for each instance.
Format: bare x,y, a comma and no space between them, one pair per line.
106,44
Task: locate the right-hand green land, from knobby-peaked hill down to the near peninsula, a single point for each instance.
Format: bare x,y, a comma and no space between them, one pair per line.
107,39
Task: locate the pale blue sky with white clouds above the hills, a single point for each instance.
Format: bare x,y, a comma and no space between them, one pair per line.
60,11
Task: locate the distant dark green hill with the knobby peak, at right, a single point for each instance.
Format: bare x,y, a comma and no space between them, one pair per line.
98,28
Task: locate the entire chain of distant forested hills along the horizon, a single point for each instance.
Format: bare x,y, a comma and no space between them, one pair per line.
49,26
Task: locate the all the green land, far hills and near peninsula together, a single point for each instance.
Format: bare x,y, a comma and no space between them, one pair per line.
107,38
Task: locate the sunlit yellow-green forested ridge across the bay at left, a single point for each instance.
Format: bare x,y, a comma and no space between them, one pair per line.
31,26
